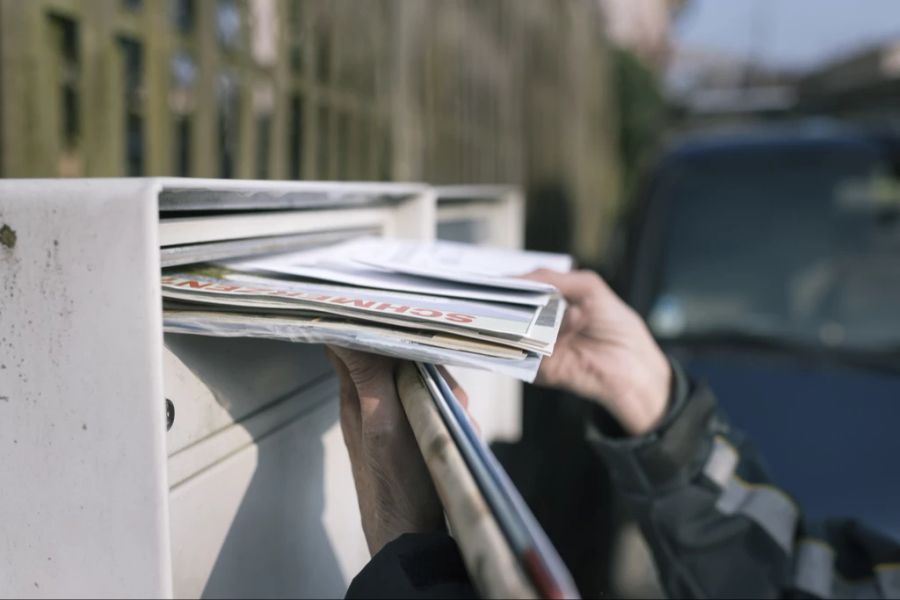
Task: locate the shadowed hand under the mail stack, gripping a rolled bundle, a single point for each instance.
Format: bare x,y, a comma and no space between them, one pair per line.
393,487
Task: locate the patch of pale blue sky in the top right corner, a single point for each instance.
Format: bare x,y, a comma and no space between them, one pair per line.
792,34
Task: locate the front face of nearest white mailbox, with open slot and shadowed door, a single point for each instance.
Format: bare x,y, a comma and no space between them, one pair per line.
261,497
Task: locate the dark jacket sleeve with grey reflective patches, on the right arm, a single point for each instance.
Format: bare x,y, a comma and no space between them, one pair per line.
717,527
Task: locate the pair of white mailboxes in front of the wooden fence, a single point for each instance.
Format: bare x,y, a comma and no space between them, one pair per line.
249,493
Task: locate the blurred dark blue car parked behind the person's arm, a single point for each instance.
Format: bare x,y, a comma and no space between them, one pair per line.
768,261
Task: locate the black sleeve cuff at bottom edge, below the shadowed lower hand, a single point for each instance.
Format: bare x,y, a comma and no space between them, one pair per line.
415,565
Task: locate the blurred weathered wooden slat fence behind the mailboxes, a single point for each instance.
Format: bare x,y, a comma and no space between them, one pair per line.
445,91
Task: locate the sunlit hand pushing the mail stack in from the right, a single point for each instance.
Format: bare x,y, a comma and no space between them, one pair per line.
606,353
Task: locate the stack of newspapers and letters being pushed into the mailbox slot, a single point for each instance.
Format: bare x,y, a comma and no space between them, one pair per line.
434,302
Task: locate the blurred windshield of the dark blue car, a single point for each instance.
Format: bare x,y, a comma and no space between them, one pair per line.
798,242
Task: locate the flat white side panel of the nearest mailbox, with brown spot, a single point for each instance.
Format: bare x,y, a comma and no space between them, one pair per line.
82,418
